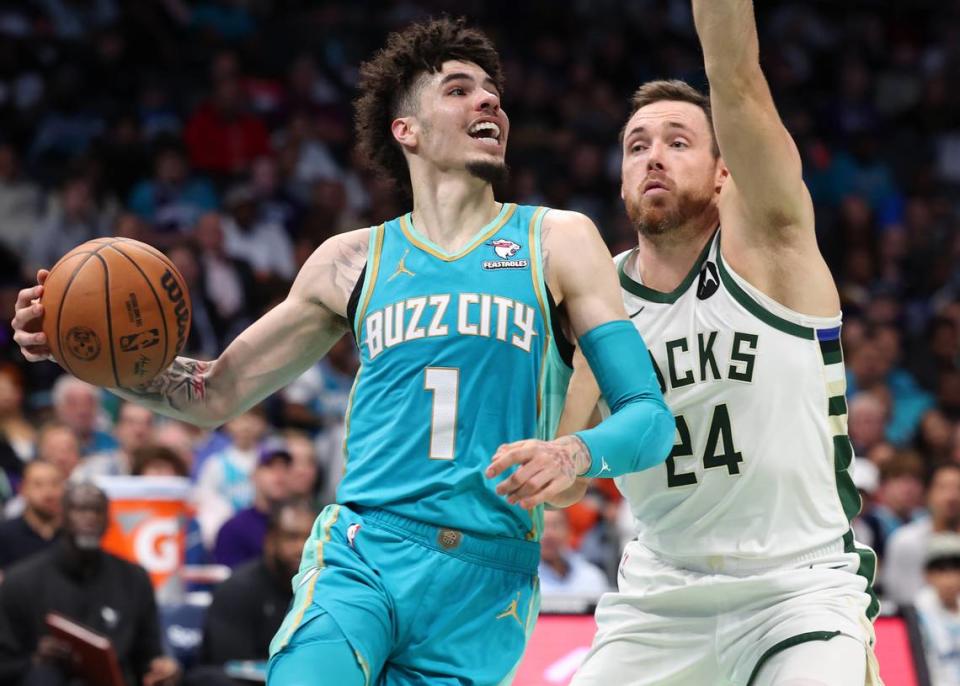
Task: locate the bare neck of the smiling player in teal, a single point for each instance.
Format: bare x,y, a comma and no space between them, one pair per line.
449,210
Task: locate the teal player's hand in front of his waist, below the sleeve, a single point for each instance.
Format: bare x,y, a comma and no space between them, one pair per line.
545,469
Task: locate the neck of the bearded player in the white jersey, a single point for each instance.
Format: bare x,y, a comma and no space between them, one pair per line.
663,262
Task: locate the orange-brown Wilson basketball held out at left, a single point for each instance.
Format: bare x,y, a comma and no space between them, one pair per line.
116,312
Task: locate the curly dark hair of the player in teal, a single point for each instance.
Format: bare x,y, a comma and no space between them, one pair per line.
387,83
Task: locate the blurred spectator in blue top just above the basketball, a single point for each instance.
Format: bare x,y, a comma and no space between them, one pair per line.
173,200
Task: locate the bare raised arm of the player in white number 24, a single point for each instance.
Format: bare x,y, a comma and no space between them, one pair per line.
765,208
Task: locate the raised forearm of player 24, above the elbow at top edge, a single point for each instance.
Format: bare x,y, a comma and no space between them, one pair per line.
728,36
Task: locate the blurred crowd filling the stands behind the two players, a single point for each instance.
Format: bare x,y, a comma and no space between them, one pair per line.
220,131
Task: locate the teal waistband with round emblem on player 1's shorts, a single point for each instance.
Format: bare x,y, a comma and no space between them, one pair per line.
510,554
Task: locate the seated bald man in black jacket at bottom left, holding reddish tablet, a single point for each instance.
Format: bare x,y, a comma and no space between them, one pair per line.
76,578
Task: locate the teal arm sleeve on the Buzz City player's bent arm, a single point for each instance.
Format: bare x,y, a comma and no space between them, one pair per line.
640,431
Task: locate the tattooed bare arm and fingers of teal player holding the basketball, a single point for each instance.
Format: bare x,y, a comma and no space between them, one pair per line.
268,355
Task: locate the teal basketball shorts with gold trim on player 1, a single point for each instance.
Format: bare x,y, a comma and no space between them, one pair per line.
416,604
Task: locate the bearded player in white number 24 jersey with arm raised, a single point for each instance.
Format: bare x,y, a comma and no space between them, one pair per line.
744,570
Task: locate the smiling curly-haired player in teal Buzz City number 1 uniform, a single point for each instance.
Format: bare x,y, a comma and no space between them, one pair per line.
425,572
